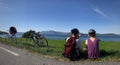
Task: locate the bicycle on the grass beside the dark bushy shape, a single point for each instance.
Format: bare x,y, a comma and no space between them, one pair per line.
39,39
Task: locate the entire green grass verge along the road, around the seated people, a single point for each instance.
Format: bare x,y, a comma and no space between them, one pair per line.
110,51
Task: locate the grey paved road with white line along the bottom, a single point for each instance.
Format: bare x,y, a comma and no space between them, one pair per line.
13,56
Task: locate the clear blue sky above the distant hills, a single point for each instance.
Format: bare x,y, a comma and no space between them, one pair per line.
61,15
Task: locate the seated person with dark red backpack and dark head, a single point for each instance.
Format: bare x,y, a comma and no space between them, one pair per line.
73,46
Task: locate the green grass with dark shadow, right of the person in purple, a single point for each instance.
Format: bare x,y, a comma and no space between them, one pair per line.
110,51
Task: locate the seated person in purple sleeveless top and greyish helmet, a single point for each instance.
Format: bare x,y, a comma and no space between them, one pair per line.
92,44
